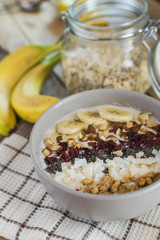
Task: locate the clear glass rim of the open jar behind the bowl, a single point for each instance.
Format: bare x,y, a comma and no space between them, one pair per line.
118,31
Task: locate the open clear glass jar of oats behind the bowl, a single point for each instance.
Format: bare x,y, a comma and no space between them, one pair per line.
103,47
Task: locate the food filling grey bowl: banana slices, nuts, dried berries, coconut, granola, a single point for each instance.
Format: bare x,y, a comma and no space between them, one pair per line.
104,150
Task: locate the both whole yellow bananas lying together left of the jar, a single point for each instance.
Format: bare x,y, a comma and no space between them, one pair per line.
12,69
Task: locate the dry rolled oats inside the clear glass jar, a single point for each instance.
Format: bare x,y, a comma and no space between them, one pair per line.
108,67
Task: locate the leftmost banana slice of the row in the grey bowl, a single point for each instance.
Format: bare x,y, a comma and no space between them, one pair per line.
70,126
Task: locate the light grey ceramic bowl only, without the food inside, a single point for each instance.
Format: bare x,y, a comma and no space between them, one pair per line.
95,207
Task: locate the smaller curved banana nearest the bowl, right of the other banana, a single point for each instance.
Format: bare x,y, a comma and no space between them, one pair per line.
25,98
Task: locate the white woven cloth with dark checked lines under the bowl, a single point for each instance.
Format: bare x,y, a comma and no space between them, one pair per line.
27,212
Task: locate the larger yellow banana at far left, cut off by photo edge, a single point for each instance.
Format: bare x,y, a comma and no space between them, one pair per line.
12,68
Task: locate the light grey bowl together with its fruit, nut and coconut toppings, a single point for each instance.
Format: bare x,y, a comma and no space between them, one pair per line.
97,153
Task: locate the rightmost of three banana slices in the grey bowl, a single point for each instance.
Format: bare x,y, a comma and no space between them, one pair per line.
115,114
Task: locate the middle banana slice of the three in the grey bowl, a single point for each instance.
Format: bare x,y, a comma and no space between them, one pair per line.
92,118
